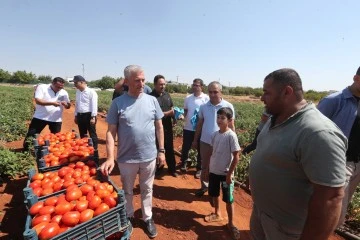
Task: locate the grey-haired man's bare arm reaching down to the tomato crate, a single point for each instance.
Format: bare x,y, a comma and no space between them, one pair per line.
109,164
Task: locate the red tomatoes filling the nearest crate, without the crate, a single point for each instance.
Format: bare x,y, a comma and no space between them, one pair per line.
77,205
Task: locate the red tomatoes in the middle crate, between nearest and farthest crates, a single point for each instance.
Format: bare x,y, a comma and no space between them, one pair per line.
43,184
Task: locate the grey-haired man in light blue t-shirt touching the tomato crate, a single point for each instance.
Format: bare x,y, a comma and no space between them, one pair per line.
135,117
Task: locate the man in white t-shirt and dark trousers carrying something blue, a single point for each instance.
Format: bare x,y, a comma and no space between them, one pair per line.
192,105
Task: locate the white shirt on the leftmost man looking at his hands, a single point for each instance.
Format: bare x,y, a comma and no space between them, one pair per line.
50,113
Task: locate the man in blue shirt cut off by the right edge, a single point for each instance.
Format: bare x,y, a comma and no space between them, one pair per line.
343,109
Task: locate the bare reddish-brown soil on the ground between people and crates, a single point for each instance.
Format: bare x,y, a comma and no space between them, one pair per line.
178,213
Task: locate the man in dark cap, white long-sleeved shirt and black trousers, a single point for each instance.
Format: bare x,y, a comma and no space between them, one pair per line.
86,108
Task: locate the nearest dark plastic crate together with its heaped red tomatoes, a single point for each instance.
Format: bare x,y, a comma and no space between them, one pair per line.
94,210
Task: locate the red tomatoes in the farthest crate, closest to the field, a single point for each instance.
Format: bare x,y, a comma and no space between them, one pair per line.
69,150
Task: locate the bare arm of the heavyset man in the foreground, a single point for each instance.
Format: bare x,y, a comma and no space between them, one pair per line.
323,213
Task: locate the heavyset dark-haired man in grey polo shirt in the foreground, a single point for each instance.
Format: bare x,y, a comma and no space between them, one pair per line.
297,173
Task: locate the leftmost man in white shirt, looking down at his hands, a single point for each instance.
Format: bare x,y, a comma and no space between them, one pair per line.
50,99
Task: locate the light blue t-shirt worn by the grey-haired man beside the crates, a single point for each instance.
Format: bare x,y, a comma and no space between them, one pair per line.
135,118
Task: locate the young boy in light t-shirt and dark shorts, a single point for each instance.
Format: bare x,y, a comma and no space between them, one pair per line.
224,158
